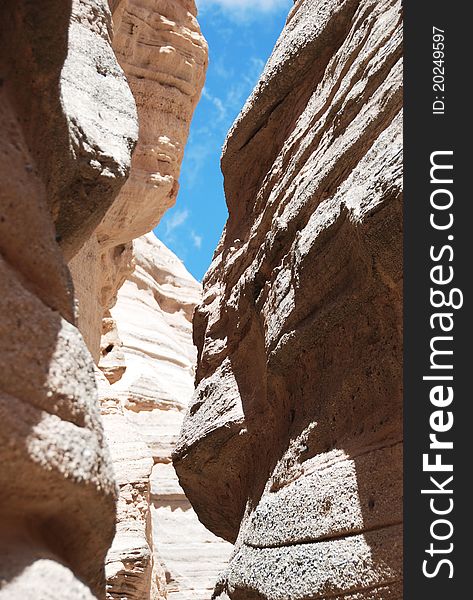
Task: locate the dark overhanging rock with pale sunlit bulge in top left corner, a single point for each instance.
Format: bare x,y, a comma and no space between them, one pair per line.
74,101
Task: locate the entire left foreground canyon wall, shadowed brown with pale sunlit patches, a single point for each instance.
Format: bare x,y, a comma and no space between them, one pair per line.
57,504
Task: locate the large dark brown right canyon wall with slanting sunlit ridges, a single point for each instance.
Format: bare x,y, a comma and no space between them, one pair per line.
292,444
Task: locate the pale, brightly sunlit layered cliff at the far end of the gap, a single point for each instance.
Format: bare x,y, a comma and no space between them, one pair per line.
160,546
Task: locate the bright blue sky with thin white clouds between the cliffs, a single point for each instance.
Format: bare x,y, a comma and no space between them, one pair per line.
241,35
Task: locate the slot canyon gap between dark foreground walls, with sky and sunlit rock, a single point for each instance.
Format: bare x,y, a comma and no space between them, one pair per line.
148,285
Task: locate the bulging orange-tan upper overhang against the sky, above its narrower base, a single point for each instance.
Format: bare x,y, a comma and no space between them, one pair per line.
164,55
